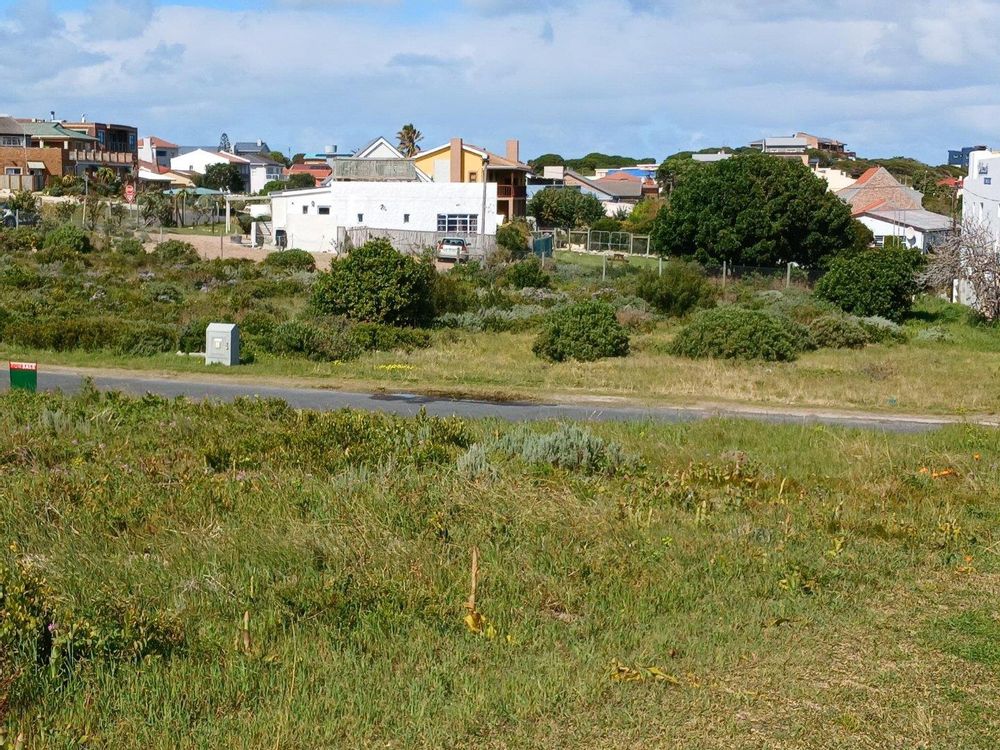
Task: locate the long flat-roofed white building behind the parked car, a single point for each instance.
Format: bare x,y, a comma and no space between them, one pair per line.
317,219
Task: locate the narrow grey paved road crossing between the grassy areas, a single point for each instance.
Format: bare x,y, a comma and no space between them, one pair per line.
409,404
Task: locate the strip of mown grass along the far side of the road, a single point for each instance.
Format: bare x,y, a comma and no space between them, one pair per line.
957,374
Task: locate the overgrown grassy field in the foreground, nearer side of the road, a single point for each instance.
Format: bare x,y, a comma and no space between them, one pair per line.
181,575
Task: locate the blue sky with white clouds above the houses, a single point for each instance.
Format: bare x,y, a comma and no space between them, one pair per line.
644,78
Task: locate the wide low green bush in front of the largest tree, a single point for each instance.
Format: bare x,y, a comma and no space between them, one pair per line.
738,333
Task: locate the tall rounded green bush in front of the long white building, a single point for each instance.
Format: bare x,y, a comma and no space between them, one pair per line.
376,284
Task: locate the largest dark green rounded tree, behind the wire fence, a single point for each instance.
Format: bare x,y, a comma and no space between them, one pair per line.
754,209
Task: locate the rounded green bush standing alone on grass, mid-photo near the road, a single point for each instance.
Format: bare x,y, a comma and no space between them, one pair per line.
585,331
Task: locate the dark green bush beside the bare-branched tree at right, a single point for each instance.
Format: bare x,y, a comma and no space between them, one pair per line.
874,282
